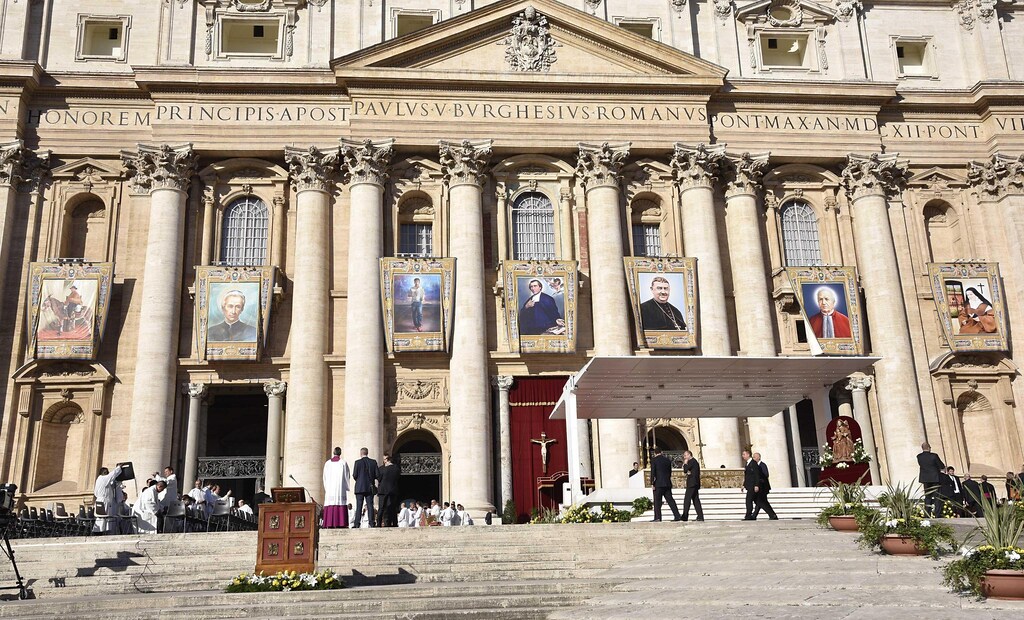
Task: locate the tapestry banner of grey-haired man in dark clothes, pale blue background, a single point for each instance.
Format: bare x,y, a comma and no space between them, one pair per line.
233,311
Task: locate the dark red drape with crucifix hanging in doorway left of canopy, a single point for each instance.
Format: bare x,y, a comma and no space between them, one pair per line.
536,484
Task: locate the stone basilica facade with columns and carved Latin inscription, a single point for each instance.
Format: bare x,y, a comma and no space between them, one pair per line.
315,138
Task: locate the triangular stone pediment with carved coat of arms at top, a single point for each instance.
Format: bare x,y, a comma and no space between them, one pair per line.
528,40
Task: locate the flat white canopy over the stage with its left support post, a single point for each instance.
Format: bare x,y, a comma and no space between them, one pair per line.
692,387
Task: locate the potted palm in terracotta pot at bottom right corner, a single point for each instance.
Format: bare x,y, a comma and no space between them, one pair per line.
996,569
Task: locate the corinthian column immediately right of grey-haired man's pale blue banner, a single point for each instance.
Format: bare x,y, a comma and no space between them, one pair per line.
313,174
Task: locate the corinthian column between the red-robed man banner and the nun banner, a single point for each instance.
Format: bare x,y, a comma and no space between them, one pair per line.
869,182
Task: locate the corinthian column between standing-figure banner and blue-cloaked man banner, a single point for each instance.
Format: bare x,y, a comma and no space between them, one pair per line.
464,168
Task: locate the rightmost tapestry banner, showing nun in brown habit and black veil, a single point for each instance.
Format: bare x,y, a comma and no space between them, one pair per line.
969,299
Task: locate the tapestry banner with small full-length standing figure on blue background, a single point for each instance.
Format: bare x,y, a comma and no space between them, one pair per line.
417,296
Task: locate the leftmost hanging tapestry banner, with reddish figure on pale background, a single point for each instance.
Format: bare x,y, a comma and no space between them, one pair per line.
68,303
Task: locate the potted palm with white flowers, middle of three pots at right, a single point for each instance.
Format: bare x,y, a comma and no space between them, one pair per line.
902,527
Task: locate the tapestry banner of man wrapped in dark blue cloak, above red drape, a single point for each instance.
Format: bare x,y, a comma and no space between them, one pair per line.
541,306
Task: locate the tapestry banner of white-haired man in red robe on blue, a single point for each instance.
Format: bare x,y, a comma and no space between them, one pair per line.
831,305
